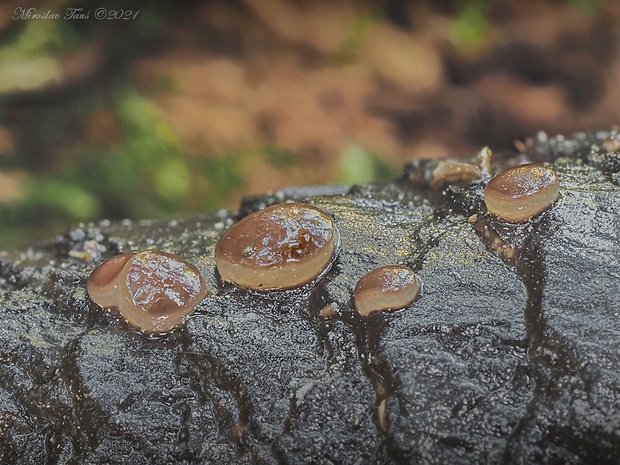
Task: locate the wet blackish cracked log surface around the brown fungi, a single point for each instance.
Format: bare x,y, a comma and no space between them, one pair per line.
494,362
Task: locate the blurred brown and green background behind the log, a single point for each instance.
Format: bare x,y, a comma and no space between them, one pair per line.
161,110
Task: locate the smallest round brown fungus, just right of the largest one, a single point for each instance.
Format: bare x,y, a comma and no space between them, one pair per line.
390,287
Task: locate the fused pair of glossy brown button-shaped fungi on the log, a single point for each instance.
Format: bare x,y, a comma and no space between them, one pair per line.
153,291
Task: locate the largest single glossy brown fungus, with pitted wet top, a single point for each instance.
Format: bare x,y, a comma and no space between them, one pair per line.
280,247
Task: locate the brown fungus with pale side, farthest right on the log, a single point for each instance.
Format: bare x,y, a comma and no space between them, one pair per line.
521,192
